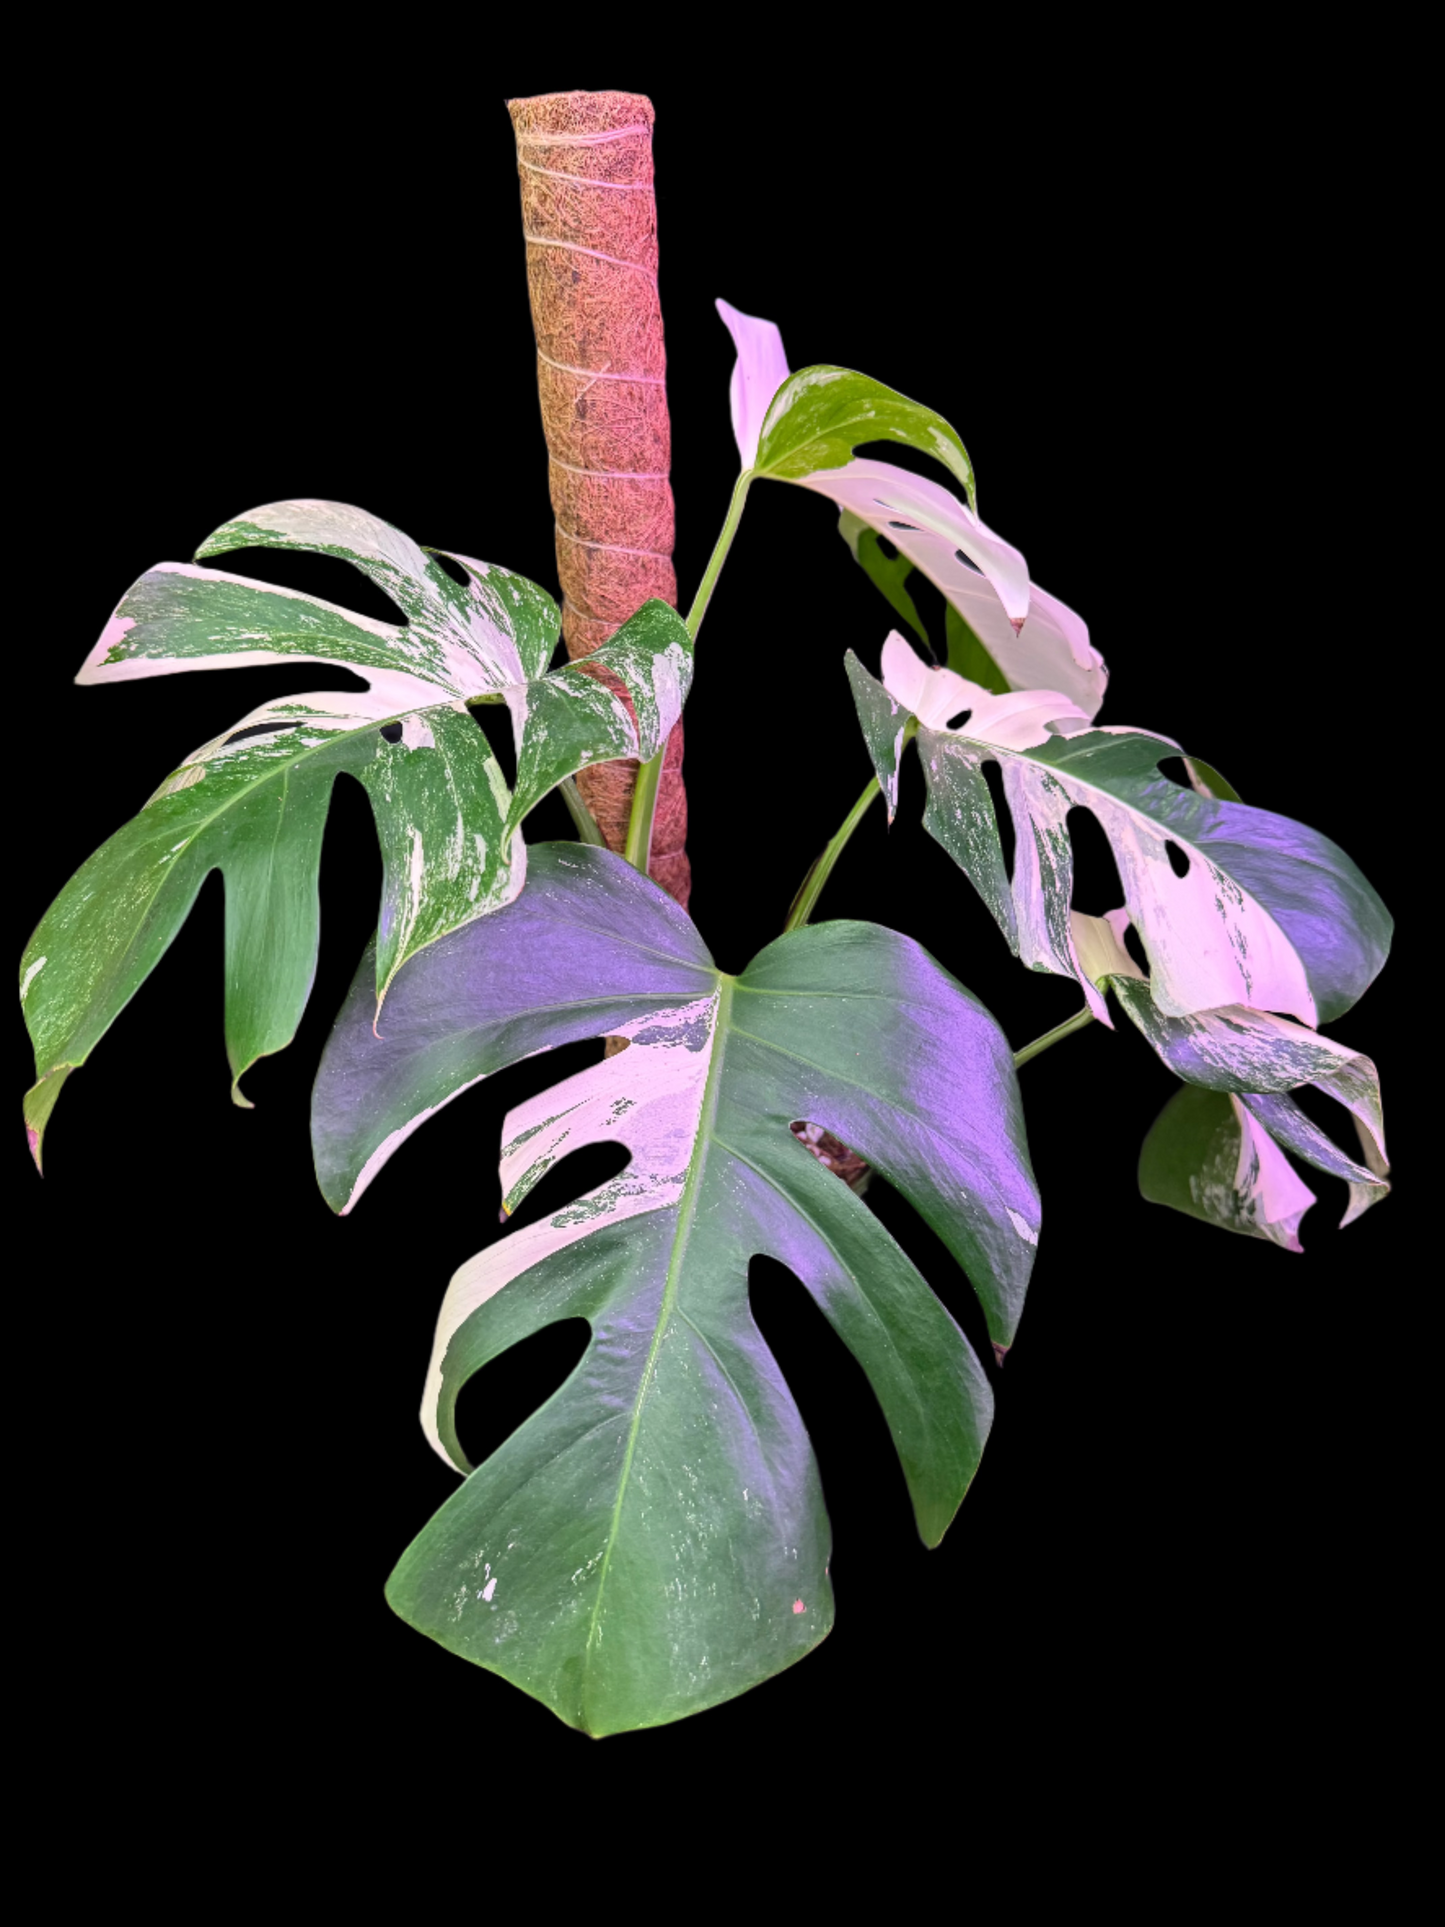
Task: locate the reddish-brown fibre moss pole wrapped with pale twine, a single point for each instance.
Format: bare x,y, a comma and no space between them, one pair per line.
591,226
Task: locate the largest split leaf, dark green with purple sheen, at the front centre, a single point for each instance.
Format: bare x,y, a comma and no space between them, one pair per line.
654,1539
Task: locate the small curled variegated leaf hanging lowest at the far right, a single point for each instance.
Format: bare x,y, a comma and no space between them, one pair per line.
1217,1148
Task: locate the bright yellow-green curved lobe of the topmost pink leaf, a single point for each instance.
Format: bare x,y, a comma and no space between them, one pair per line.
822,415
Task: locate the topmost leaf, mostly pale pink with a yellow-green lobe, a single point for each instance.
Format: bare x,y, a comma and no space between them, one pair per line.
804,429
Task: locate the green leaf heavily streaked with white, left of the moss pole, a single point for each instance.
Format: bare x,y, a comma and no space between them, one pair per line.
253,803
